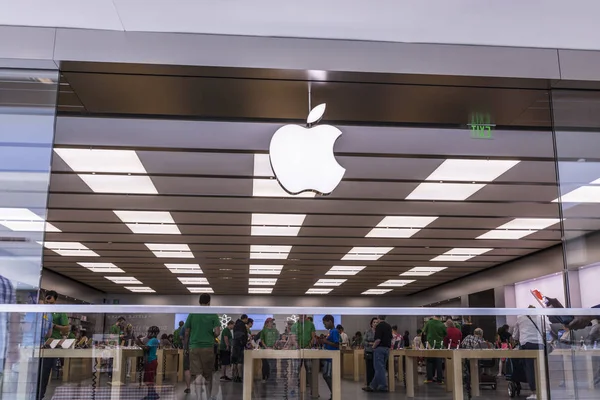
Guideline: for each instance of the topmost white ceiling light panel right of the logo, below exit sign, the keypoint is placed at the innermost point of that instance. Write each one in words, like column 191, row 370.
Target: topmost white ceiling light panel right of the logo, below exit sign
column 471, row 170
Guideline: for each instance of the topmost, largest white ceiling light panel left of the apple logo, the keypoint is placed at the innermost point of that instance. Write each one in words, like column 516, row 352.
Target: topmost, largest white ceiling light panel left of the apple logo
column 97, row 160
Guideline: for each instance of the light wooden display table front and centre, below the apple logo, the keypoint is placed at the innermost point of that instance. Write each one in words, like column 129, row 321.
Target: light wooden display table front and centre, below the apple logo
column 303, row 354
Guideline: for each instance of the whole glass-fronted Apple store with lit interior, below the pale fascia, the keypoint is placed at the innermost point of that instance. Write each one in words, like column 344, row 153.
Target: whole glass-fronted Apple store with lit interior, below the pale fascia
column 359, row 235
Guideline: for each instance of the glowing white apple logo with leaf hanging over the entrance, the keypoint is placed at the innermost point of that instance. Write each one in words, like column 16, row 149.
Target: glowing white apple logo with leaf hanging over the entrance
column 302, row 157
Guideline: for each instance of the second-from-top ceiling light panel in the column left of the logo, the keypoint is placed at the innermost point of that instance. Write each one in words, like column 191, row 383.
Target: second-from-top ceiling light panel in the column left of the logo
column 127, row 184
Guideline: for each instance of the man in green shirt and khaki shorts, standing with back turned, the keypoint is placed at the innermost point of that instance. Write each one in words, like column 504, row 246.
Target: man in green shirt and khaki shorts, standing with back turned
column 200, row 333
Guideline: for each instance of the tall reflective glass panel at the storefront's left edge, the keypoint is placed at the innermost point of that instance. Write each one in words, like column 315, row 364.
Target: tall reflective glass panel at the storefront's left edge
column 27, row 114
